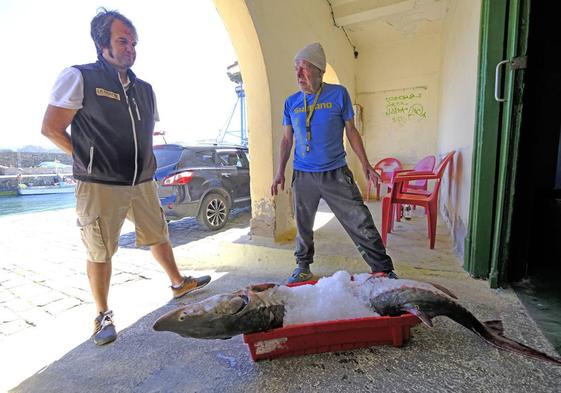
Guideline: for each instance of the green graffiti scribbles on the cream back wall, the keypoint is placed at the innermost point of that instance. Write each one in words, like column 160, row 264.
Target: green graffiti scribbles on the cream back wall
column 405, row 106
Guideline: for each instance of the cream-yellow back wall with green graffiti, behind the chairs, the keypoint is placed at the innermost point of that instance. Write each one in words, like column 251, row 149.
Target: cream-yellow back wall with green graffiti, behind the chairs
column 398, row 88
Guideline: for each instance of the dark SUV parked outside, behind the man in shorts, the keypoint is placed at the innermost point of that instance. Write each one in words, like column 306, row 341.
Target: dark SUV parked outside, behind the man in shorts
column 202, row 181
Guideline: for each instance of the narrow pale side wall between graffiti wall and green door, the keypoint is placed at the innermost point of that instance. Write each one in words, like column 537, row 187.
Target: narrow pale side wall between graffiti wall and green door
column 458, row 99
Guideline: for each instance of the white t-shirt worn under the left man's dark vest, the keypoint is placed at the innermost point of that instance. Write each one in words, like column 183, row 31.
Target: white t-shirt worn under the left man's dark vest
column 68, row 91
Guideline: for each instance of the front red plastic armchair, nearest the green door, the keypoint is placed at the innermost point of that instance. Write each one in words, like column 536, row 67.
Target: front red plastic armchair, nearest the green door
column 426, row 199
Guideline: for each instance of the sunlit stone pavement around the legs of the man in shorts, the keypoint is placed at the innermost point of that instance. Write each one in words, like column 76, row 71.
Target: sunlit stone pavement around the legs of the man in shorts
column 44, row 288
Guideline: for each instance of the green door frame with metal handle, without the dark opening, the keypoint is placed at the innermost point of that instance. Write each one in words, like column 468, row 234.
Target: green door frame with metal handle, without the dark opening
column 496, row 139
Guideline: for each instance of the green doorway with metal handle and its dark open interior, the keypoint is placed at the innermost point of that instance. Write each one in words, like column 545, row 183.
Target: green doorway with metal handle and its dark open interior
column 515, row 216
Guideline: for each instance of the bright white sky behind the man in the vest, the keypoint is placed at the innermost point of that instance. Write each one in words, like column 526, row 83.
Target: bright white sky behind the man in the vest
column 183, row 51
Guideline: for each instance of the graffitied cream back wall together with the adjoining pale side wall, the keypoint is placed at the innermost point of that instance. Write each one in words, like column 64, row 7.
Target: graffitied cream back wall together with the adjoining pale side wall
column 433, row 68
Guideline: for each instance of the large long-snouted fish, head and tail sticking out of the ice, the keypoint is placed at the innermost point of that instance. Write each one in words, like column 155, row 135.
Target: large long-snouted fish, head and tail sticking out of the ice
column 262, row 307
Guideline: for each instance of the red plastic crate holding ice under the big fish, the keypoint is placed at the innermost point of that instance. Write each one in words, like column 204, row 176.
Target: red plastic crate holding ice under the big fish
column 330, row 336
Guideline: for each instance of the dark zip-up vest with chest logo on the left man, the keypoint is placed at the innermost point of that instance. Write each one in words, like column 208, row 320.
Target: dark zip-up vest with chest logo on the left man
column 112, row 134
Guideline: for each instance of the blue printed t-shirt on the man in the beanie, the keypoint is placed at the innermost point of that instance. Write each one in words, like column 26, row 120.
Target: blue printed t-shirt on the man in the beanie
column 333, row 108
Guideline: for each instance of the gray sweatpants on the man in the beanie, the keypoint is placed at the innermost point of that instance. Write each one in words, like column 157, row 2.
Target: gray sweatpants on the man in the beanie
column 339, row 190
